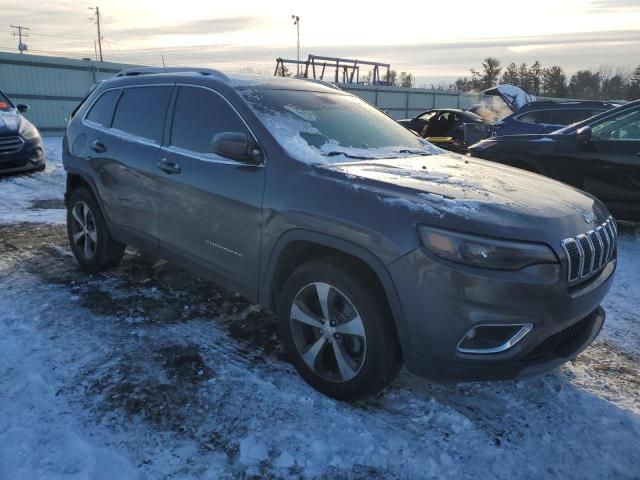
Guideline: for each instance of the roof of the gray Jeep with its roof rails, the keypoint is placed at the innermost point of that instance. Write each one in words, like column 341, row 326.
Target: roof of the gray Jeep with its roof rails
column 209, row 76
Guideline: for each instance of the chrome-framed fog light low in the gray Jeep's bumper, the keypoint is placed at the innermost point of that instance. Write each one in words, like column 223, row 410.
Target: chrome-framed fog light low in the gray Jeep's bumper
column 493, row 338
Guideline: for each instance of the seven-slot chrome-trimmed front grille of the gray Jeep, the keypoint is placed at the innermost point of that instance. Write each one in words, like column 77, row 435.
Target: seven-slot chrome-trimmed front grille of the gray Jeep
column 588, row 253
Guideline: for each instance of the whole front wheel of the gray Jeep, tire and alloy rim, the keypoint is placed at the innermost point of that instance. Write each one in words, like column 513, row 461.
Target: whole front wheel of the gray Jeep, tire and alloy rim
column 369, row 349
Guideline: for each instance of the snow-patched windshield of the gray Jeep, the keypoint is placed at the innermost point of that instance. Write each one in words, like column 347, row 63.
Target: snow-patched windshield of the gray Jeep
column 332, row 127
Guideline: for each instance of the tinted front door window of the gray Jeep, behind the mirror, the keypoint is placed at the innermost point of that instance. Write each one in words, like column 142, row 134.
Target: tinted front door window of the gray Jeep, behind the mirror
column 198, row 115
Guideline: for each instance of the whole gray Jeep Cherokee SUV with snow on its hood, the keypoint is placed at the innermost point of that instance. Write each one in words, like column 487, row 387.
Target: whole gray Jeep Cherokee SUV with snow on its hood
column 375, row 248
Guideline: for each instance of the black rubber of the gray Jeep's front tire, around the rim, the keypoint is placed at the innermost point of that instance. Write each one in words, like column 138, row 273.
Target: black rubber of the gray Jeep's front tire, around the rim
column 382, row 359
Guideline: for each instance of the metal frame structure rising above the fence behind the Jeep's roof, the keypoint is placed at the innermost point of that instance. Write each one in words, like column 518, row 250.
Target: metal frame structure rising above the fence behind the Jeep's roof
column 346, row 70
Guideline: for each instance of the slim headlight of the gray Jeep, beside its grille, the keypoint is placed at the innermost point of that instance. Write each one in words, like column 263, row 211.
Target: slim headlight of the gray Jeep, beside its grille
column 484, row 252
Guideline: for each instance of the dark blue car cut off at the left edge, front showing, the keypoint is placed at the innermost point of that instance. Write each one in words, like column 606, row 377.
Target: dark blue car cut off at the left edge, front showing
column 21, row 147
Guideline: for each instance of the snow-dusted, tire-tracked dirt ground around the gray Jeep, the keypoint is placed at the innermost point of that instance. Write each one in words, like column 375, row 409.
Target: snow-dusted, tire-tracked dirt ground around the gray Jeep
column 149, row 372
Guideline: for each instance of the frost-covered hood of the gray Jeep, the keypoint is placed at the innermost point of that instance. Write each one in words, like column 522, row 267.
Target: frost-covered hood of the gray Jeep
column 457, row 192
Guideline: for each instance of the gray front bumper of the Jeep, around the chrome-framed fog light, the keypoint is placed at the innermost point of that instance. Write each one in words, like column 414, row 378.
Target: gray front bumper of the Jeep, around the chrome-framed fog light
column 442, row 301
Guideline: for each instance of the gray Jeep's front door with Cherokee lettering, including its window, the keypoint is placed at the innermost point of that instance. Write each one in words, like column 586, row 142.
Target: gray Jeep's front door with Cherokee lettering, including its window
column 210, row 208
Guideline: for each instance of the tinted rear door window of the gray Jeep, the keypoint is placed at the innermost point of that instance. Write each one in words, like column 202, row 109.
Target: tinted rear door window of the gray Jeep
column 141, row 111
